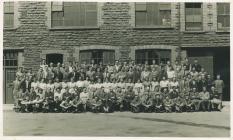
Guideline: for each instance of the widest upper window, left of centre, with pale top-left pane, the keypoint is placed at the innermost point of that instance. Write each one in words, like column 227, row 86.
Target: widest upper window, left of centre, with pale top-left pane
column 74, row 14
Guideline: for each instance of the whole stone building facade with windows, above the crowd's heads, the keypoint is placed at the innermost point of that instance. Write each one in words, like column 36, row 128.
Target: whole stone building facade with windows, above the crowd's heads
column 32, row 36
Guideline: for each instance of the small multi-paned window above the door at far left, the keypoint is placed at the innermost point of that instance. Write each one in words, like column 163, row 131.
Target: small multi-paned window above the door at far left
column 10, row 58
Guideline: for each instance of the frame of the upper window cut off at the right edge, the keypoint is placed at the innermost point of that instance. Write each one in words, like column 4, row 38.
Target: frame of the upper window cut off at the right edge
column 222, row 28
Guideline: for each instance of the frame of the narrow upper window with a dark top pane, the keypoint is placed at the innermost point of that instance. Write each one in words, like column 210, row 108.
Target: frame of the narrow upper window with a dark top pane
column 201, row 16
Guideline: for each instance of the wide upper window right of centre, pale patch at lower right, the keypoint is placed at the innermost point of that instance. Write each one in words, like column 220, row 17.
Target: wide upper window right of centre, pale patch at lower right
column 153, row 14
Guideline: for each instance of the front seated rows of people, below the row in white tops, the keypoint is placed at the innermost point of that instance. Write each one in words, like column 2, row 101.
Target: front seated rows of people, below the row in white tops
column 98, row 100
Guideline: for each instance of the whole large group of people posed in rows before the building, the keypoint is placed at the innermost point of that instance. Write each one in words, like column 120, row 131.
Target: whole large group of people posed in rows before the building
column 123, row 86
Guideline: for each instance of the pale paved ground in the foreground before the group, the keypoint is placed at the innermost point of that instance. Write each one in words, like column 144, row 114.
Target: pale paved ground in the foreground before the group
column 198, row 124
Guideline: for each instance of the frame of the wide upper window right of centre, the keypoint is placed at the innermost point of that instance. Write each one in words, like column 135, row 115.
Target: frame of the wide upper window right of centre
column 146, row 26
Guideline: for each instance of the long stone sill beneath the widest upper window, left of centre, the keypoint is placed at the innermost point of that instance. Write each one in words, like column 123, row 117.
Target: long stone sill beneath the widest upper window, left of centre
column 74, row 28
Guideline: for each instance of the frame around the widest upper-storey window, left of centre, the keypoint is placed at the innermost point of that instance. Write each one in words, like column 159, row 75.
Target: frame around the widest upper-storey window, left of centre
column 65, row 27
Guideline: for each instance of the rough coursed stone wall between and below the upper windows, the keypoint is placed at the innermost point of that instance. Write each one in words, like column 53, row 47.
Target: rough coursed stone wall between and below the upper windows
column 116, row 29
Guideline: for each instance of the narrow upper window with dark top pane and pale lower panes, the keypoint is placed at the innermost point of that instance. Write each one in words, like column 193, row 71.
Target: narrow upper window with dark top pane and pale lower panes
column 193, row 16
